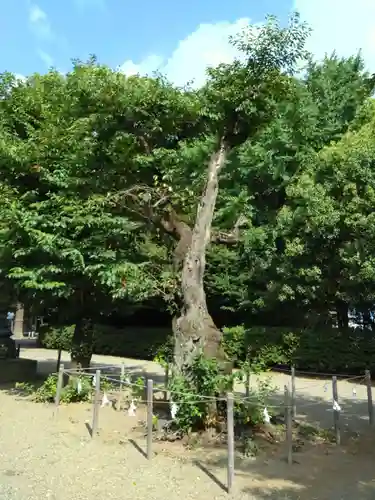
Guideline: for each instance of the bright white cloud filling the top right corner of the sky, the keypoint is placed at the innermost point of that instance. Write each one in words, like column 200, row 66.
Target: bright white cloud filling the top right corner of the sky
column 345, row 26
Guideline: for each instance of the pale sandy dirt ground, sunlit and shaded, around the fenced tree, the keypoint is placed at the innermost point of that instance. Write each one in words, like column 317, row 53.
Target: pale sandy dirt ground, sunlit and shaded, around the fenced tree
column 320, row 471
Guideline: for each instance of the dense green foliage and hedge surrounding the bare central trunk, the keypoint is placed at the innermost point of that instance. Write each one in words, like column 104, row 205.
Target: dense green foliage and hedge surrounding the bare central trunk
column 93, row 163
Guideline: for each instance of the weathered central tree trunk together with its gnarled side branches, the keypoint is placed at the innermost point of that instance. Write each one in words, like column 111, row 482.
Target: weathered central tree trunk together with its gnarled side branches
column 195, row 331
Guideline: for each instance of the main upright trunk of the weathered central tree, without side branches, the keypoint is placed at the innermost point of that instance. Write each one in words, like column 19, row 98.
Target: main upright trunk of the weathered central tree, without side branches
column 195, row 331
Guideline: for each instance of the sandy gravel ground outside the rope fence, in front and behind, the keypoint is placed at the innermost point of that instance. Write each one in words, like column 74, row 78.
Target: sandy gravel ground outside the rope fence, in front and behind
column 46, row 458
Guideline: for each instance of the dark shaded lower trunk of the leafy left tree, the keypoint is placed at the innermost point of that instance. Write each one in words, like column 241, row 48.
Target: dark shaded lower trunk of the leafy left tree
column 82, row 343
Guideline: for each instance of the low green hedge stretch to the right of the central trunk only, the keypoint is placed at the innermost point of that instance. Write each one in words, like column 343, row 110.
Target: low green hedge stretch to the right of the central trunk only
column 324, row 350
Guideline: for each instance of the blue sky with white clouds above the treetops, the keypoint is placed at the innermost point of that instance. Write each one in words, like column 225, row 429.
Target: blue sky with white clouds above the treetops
column 180, row 41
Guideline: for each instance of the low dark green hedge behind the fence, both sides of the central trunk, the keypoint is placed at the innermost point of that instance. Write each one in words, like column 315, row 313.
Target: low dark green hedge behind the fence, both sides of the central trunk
column 323, row 350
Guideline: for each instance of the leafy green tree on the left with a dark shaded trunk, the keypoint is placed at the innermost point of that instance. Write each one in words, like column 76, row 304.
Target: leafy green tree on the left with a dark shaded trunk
column 62, row 235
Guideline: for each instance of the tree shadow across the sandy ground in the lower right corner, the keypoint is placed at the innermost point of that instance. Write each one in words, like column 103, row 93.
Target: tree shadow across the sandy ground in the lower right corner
column 320, row 471
